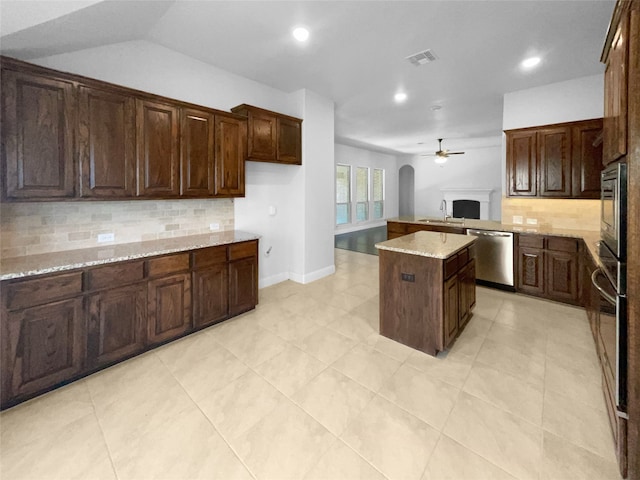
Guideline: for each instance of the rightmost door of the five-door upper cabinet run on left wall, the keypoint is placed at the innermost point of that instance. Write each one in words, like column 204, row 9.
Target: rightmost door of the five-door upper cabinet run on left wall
column 231, row 140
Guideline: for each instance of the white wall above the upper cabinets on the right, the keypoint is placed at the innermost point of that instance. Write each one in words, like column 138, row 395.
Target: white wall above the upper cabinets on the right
column 573, row 100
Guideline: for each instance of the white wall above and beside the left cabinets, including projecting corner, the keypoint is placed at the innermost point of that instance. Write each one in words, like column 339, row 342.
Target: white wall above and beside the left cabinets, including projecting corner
column 155, row 69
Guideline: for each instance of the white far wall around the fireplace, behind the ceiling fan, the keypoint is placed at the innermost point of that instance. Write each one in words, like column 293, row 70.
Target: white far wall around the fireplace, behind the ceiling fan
column 477, row 168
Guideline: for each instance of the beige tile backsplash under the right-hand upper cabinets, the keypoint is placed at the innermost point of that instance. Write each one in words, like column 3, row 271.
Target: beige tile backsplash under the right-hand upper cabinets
column 572, row 214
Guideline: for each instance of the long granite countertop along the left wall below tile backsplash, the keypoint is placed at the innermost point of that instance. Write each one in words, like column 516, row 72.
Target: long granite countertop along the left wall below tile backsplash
column 30, row 265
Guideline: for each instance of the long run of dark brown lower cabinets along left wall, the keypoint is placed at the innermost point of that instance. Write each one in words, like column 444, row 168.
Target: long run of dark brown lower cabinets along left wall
column 57, row 328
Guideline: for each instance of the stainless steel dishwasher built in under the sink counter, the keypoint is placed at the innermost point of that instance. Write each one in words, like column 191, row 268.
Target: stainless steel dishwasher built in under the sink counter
column 494, row 258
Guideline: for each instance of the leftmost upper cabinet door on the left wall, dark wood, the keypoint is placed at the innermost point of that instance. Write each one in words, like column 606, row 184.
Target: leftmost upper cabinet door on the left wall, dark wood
column 37, row 133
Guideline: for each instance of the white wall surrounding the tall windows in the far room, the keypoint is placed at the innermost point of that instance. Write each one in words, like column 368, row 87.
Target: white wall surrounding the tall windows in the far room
column 359, row 157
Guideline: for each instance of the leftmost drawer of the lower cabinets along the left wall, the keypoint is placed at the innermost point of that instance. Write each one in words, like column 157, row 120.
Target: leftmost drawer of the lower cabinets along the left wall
column 28, row 293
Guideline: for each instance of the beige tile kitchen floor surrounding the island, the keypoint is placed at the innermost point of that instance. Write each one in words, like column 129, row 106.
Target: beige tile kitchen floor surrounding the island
column 304, row 388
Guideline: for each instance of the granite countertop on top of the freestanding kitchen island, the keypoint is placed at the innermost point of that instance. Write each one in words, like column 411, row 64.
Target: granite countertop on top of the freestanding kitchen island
column 428, row 244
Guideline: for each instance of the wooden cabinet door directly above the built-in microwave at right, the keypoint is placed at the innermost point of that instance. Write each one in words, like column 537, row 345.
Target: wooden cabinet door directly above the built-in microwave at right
column 615, row 95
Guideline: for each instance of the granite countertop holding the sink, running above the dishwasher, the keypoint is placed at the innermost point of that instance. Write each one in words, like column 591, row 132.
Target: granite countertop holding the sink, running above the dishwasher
column 591, row 238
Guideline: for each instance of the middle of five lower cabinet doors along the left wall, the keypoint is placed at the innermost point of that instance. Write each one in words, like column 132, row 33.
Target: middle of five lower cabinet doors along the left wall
column 169, row 309
